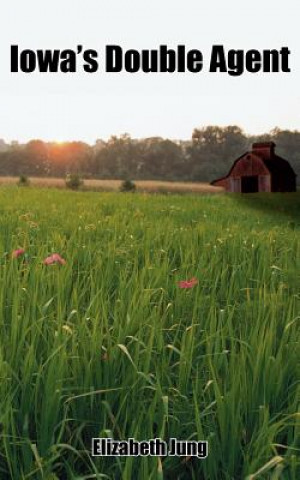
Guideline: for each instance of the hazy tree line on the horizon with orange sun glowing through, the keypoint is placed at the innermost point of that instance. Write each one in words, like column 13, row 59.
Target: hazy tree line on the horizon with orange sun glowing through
column 206, row 156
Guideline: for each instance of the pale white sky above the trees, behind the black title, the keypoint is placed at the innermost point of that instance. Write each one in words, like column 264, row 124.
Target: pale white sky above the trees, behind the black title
column 82, row 106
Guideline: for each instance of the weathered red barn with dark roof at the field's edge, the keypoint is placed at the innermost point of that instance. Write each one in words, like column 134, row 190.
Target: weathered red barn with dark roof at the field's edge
column 260, row 170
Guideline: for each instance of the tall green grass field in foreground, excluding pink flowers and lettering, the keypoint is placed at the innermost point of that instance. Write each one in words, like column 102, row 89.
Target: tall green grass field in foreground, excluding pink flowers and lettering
column 109, row 345
